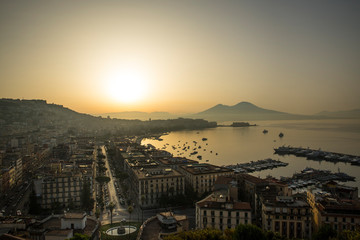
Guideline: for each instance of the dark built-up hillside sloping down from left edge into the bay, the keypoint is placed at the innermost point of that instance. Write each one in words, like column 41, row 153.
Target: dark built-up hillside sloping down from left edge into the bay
column 19, row 117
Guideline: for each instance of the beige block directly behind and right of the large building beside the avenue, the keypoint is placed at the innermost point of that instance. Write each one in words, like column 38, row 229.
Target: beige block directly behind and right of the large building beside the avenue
column 201, row 177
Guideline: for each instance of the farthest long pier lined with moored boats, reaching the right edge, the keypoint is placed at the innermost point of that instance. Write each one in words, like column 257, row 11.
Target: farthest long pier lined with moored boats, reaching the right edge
column 318, row 155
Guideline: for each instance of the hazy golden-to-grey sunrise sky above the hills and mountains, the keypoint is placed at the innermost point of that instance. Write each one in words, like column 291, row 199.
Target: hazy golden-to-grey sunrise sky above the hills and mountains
column 182, row 56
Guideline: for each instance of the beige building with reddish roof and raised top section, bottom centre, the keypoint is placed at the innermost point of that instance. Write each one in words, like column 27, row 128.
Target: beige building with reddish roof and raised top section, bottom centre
column 219, row 212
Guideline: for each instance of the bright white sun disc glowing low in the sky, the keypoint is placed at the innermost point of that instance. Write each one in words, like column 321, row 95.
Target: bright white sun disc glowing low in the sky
column 126, row 85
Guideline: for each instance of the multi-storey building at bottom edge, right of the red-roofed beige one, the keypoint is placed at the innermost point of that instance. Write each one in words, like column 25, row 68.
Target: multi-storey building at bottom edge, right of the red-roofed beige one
column 288, row 216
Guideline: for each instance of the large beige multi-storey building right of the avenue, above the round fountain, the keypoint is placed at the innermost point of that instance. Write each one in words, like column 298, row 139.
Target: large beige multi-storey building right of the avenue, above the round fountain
column 150, row 184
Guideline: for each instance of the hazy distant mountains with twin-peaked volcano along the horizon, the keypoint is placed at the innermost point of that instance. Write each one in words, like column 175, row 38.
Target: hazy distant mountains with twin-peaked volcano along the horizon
column 243, row 111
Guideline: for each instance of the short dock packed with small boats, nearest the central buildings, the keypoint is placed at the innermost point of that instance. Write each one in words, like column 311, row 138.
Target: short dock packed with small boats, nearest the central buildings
column 255, row 166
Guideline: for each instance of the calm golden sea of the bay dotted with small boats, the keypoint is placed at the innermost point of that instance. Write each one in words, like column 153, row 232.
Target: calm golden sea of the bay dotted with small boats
column 232, row 145
